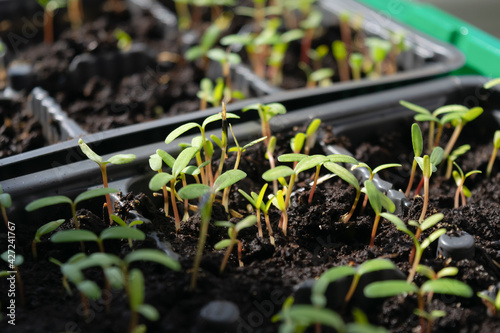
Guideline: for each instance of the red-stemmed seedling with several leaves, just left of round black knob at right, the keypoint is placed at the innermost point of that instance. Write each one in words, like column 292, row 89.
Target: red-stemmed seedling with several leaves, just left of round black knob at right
column 419, row 247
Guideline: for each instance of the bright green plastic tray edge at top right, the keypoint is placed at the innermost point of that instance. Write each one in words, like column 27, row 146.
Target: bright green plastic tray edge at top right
column 482, row 51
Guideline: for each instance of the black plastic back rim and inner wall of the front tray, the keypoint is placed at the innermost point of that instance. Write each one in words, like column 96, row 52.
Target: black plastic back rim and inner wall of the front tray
column 356, row 118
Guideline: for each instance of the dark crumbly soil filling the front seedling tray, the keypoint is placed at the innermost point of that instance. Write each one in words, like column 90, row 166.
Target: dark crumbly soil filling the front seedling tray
column 316, row 241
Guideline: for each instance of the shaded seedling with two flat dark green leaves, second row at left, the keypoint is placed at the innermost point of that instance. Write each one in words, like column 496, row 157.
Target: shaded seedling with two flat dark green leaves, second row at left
column 118, row 232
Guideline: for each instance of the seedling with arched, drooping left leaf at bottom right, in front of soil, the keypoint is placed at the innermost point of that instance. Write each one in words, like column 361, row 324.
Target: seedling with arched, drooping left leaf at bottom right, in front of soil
column 318, row 291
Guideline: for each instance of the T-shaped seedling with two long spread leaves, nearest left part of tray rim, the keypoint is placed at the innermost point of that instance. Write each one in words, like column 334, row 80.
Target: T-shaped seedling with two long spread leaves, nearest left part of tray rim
column 59, row 199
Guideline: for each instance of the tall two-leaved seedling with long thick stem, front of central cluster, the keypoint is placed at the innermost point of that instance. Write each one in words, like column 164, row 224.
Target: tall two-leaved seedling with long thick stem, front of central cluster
column 194, row 191
